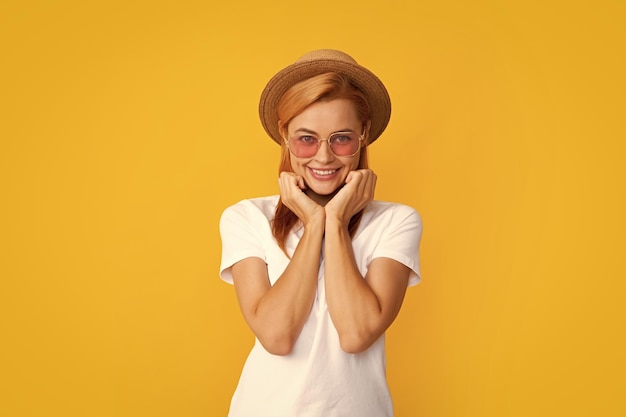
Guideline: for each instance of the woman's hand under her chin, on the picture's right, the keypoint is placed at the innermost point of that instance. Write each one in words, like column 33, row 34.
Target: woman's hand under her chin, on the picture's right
column 353, row 197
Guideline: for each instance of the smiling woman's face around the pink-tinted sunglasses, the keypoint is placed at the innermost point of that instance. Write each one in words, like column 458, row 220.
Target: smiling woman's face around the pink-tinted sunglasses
column 324, row 173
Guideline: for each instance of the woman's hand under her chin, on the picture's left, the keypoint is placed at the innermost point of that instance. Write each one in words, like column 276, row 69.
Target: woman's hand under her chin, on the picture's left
column 292, row 194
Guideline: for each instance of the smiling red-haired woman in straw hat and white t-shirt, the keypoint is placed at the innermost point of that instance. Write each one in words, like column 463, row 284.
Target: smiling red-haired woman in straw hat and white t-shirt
column 321, row 270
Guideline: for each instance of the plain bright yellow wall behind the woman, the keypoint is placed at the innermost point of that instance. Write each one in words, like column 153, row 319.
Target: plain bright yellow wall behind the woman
column 127, row 127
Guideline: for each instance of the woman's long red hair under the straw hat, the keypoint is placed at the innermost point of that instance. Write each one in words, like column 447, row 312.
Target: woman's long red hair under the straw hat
column 324, row 87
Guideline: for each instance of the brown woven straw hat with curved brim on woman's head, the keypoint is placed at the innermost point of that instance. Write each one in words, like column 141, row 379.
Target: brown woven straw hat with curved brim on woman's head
column 319, row 62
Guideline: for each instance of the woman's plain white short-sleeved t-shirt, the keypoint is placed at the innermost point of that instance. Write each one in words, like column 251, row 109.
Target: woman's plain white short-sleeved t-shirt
column 317, row 379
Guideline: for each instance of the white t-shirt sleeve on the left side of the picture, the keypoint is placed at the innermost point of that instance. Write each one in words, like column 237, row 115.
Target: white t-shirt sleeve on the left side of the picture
column 240, row 238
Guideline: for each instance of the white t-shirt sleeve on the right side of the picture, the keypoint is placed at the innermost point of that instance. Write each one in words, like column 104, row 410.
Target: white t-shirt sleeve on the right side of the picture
column 401, row 239
